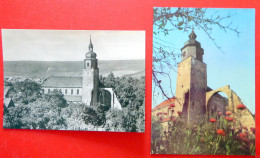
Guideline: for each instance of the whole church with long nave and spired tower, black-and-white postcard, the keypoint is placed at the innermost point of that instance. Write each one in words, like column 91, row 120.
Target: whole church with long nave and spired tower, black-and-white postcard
column 86, row 89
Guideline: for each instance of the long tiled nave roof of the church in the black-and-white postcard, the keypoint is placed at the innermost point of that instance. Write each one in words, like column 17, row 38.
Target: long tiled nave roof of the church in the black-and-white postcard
column 63, row 82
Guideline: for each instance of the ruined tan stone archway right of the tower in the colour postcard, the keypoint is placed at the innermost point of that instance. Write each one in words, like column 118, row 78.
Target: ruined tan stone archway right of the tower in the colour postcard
column 246, row 118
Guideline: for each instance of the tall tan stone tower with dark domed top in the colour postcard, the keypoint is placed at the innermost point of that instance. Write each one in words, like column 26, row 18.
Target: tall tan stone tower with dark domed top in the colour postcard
column 192, row 80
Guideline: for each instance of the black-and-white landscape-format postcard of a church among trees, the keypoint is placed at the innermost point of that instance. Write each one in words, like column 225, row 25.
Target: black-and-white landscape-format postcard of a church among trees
column 74, row 80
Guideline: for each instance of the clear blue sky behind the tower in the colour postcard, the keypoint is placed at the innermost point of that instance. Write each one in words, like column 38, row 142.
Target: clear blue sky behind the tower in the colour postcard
column 235, row 66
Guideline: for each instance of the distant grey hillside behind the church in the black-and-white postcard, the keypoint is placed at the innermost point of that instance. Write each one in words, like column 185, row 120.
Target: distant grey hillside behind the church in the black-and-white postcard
column 72, row 68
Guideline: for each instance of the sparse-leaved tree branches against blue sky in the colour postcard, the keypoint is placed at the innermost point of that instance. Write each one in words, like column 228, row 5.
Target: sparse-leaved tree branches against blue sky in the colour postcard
column 168, row 20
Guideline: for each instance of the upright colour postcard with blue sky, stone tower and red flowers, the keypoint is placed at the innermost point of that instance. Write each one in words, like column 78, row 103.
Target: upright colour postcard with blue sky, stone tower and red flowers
column 203, row 98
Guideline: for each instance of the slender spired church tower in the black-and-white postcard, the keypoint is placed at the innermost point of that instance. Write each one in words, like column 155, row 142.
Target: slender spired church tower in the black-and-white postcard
column 90, row 77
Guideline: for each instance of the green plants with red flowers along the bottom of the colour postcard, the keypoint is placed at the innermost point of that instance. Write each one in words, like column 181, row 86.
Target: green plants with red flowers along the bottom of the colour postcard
column 223, row 137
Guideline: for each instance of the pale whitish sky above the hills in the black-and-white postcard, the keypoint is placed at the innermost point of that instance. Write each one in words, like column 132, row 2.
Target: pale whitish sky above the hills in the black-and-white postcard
column 71, row 45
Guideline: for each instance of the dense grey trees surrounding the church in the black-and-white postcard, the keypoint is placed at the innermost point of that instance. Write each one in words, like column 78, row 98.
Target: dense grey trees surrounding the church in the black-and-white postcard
column 51, row 111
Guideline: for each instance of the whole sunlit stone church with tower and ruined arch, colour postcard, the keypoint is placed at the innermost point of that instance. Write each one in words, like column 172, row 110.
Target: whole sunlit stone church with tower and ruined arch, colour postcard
column 193, row 98
